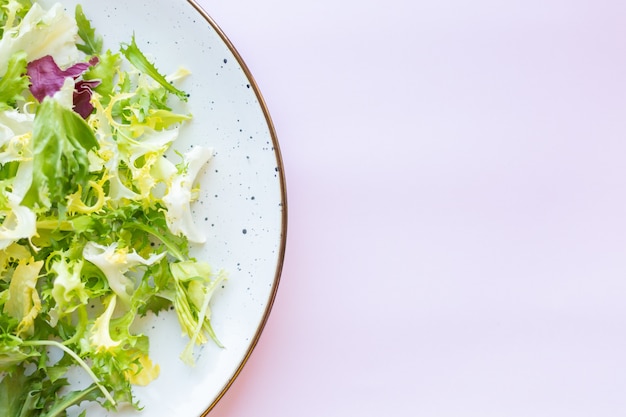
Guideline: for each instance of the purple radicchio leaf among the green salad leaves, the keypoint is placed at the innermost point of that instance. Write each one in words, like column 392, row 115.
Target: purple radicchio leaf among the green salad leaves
column 47, row 79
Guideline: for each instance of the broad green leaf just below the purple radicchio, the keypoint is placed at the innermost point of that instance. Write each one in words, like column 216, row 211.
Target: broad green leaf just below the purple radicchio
column 61, row 140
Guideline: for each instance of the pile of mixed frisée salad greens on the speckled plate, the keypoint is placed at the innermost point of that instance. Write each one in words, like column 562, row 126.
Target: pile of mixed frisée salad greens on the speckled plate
column 95, row 219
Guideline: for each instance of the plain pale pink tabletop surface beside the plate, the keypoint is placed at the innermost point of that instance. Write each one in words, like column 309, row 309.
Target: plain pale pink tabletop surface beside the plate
column 456, row 181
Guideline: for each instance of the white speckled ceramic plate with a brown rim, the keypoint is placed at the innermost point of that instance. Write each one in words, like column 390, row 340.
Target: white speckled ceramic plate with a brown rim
column 242, row 208
